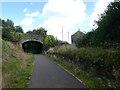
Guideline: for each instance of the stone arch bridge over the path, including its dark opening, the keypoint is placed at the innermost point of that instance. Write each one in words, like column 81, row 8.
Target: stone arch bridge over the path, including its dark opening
column 32, row 43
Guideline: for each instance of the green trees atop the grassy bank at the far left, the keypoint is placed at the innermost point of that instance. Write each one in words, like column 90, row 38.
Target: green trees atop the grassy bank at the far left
column 10, row 32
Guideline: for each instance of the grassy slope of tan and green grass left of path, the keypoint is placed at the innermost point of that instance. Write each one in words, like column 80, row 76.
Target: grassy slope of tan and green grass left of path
column 16, row 66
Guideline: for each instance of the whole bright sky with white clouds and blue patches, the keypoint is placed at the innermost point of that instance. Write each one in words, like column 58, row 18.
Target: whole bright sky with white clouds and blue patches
column 54, row 15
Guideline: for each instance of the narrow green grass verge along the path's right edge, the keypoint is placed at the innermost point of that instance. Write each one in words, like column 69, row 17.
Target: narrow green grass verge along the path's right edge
column 88, row 80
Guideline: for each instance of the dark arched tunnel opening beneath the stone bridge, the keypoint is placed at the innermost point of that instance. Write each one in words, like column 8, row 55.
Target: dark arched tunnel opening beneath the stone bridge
column 32, row 47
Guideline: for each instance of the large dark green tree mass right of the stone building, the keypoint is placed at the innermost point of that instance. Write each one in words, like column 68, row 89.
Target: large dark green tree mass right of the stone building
column 107, row 33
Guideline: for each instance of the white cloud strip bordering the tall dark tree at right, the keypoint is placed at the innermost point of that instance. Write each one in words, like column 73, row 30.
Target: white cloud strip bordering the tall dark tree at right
column 100, row 6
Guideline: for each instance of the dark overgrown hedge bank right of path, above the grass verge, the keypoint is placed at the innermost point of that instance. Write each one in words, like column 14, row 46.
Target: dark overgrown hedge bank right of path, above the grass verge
column 104, row 63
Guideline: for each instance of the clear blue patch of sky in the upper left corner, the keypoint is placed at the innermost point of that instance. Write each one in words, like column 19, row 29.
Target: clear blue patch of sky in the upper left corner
column 15, row 10
